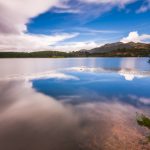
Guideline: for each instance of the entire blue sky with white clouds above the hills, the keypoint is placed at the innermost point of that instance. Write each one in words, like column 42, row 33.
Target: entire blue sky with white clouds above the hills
column 71, row 25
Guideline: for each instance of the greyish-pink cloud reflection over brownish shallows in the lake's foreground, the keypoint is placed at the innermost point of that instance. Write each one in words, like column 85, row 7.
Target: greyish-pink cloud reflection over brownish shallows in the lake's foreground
column 34, row 121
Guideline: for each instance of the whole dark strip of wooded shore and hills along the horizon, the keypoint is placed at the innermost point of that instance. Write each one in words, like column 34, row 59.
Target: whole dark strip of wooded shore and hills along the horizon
column 109, row 50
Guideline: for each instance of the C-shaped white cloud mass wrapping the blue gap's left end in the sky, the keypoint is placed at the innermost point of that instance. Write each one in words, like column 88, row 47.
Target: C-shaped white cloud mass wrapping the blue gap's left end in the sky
column 14, row 17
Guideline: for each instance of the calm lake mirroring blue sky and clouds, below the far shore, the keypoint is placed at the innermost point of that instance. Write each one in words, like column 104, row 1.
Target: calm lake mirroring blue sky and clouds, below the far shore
column 74, row 103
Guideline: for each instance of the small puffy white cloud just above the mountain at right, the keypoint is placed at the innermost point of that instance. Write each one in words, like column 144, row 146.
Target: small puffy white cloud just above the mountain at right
column 135, row 37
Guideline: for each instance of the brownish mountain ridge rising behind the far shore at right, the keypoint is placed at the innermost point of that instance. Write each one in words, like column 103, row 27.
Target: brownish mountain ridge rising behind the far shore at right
column 120, row 46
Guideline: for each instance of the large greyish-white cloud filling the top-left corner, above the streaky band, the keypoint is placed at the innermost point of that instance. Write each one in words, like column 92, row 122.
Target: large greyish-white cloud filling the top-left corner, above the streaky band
column 14, row 15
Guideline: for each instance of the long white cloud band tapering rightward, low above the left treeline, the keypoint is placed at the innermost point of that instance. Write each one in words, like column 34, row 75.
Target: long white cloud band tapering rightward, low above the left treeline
column 31, row 42
